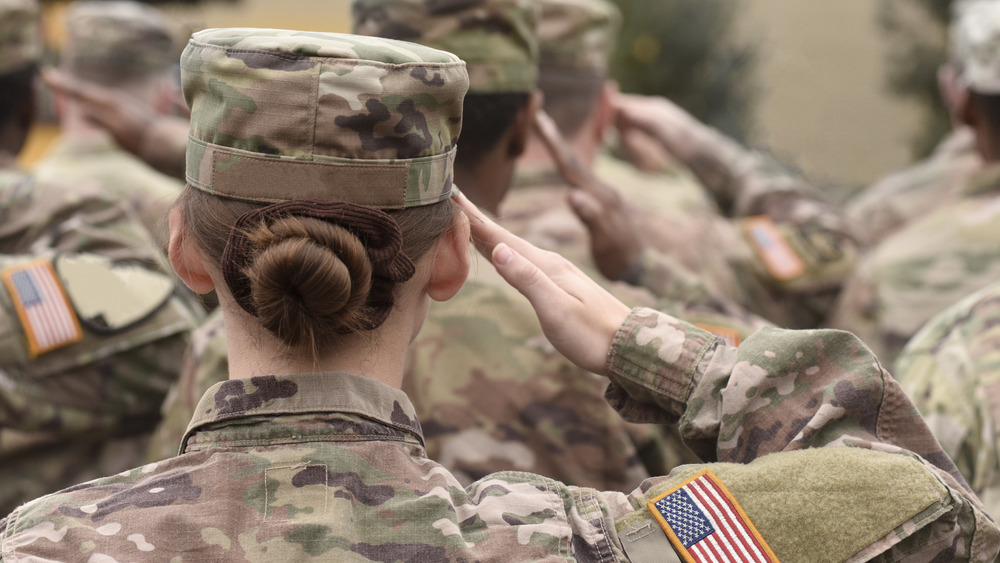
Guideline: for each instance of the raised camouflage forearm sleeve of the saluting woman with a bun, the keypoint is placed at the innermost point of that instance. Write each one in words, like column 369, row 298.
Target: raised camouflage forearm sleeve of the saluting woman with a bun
column 779, row 390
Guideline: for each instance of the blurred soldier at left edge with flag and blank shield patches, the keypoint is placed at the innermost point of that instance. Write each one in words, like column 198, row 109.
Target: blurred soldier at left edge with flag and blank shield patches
column 89, row 345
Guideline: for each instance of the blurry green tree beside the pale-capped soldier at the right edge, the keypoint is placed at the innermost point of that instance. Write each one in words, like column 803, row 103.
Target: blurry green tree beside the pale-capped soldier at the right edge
column 916, row 36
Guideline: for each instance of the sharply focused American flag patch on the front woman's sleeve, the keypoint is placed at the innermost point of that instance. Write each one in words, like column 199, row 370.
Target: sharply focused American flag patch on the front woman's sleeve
column 705, row 523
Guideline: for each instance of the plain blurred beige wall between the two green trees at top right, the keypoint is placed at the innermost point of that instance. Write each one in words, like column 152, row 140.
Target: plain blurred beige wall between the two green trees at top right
column 824, row 101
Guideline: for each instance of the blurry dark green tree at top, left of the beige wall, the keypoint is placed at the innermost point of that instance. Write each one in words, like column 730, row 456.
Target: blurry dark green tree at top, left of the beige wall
column 686, row 50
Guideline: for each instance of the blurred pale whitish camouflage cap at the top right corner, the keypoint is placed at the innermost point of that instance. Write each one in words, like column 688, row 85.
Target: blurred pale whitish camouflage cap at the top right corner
column 976, row 44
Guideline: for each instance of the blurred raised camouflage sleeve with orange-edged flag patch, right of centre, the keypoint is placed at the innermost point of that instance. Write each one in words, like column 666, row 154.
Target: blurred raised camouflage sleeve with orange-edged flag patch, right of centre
column 800, row 245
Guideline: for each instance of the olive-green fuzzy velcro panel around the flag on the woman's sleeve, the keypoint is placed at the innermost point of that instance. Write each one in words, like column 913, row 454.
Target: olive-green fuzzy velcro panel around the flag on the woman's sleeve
column 821, row 504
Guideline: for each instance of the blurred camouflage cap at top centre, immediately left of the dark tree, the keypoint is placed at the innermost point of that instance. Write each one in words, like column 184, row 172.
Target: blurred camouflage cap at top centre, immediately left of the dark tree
column 577, row 35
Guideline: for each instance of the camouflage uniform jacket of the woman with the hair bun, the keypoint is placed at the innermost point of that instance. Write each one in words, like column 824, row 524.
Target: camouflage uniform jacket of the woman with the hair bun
column 300, row 479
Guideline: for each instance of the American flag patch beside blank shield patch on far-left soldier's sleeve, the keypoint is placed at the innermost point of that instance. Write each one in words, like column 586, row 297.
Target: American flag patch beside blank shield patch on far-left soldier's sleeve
column 41, row 303
